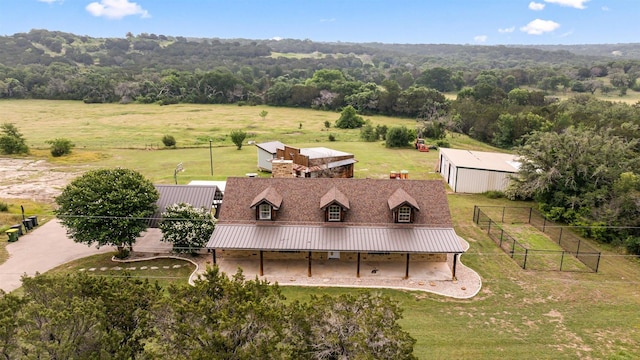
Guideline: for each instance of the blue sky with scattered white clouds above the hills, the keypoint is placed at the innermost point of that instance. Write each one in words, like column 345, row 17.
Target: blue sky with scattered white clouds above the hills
column 488, row 22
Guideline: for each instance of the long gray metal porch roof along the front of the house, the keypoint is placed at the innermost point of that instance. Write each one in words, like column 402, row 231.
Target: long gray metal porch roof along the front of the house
column 326, row 238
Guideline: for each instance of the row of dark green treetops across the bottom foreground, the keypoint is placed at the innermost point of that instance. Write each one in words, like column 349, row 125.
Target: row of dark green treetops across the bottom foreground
column 79, row 316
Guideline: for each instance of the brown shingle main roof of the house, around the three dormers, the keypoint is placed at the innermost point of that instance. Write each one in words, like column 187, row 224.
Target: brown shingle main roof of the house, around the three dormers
column 301, row 198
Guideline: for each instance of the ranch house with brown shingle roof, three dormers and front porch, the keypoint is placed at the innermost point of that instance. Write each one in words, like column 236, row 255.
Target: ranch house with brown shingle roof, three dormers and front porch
column 333, row 219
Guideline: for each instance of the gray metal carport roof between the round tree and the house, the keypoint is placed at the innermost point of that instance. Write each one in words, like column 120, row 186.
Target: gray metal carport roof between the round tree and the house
column 199, row 196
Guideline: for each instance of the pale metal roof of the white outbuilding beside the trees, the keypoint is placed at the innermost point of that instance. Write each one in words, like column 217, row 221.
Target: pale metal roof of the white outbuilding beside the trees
column 482, row 160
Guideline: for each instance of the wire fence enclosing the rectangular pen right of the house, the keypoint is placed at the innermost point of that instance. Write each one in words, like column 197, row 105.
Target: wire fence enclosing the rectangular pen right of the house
column 573, row 247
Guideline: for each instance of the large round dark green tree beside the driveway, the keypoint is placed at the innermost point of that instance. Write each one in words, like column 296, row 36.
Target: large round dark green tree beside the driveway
column 107, row 207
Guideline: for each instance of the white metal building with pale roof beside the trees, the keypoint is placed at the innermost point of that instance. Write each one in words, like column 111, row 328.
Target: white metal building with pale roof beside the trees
column 469, row 171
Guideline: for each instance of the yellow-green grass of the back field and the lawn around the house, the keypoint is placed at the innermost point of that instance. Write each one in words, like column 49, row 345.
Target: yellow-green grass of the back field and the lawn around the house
column 517, row 314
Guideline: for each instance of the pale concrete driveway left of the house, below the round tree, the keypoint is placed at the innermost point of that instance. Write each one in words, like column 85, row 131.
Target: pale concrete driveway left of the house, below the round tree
column 40, row 250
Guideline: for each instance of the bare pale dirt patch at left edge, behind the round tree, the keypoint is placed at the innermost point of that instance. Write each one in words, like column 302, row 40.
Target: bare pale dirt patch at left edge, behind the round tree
column 36, row 180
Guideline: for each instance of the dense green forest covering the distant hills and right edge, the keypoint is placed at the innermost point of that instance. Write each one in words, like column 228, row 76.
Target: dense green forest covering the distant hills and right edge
column 508, row 96
